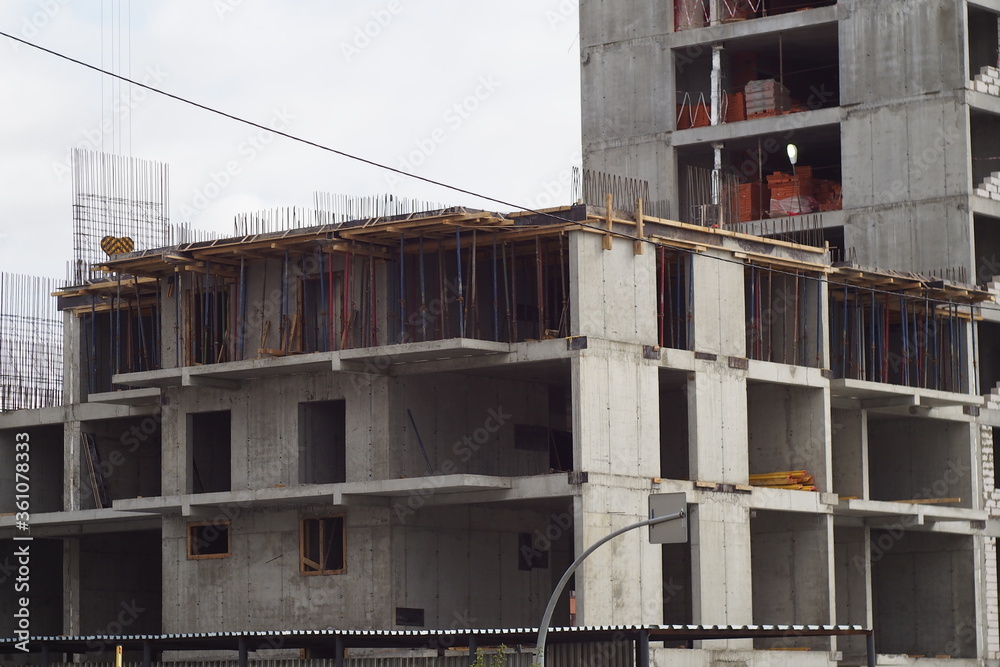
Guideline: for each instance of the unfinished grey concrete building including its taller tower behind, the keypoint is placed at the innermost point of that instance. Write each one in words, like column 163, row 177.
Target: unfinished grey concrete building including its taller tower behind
column 397, row 417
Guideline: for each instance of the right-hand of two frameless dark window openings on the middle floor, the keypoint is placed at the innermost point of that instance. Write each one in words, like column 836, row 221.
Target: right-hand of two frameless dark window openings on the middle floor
column 322, row 442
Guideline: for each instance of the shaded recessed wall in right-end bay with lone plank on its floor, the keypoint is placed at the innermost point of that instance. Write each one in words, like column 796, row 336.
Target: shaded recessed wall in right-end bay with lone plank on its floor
column 922, row 458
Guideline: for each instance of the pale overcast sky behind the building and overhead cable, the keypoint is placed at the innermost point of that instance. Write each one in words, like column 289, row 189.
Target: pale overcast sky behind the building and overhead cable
column 483, row 95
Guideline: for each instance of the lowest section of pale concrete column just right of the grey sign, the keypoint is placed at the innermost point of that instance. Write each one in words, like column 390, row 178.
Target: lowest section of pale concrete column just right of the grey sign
column 720, row 568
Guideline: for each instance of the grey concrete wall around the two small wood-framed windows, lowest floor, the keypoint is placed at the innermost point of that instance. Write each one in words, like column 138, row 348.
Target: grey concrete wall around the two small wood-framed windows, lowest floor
column 259, row 586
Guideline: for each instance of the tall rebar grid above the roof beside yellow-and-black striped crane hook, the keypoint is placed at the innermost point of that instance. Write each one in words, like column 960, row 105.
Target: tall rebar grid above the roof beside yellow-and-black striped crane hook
column 120, row 197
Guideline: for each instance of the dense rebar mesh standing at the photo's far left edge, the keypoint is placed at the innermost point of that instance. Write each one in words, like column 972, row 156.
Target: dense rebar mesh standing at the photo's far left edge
column 30, row 343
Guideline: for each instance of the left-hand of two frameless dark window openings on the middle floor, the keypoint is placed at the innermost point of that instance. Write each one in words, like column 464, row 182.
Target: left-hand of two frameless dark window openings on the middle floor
column 210, row 437
